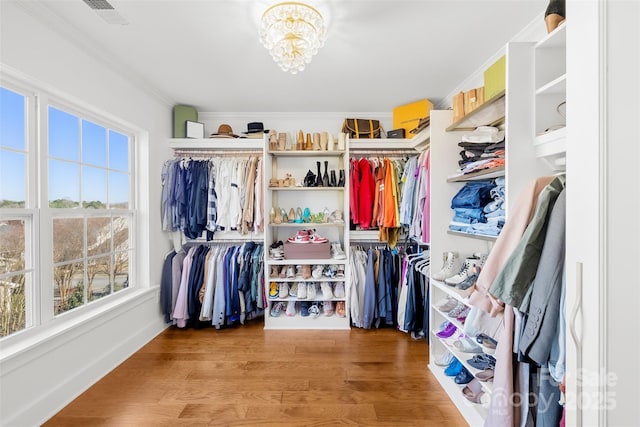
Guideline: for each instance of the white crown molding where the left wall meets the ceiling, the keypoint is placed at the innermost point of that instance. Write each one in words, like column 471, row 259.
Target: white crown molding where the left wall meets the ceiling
column 90, row 46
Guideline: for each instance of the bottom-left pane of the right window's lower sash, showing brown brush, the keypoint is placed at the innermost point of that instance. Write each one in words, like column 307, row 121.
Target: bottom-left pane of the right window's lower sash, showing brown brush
column 68, row 289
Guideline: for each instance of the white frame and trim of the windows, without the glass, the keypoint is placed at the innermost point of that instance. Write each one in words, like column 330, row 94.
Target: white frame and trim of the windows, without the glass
column 40, row 317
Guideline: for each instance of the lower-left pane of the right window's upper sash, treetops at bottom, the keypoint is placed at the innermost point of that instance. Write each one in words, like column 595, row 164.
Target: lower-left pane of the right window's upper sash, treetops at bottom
column 64, row 184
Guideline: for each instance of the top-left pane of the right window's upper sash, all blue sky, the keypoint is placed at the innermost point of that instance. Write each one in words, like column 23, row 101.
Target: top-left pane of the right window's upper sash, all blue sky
column 64, row 138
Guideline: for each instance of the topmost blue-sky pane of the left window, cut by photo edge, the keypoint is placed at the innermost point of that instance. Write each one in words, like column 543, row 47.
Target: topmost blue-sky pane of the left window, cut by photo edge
column 12, row 119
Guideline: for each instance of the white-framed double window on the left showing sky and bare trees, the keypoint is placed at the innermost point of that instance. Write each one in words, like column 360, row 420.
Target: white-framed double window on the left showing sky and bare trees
column 75, row 213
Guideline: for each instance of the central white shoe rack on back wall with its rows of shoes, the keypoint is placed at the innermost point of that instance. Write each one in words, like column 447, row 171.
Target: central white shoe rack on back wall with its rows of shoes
column 291, row 190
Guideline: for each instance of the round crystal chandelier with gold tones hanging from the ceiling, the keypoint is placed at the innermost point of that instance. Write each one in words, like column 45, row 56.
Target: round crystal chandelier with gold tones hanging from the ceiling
column 292, row 32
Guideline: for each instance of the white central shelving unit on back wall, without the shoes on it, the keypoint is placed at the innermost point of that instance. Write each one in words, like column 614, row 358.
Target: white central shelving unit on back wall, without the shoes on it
column 297, row 163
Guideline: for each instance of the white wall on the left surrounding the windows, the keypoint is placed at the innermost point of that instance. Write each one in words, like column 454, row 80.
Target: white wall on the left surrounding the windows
column 40, row 378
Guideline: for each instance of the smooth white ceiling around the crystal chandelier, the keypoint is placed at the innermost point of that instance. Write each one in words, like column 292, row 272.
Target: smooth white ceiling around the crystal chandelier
column 378, row 53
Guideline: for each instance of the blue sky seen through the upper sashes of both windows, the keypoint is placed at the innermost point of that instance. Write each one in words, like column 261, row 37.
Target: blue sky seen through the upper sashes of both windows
column 79, row 151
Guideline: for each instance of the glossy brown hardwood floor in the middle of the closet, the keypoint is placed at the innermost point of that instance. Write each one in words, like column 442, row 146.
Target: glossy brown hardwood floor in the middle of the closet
column 246, row 376
